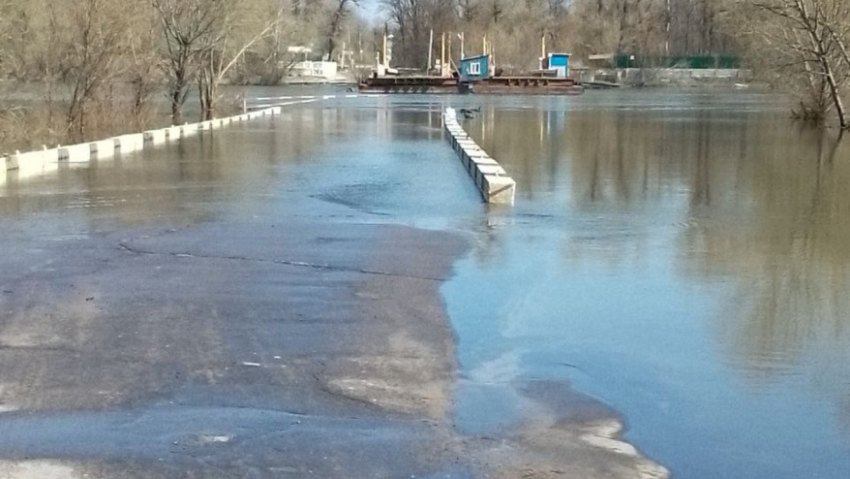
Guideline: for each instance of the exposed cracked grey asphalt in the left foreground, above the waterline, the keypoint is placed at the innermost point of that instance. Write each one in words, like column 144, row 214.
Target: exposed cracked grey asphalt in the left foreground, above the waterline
column 309, row 357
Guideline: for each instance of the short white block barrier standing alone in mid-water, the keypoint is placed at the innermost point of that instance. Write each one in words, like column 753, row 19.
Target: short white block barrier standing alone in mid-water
column 491, row 179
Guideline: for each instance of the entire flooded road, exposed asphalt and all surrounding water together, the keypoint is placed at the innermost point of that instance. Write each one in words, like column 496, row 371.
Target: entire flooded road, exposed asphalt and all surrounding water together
column 676, row 263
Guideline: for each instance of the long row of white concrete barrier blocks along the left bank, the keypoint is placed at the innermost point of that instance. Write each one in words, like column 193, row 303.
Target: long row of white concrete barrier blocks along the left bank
column 25, row 165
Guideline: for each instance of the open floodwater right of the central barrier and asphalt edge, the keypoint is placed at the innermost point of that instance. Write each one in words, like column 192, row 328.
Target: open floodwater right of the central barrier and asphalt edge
column 683, row 258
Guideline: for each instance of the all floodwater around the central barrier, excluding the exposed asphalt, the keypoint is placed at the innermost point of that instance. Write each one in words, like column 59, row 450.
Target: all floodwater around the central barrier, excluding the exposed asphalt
column 681, row 257
